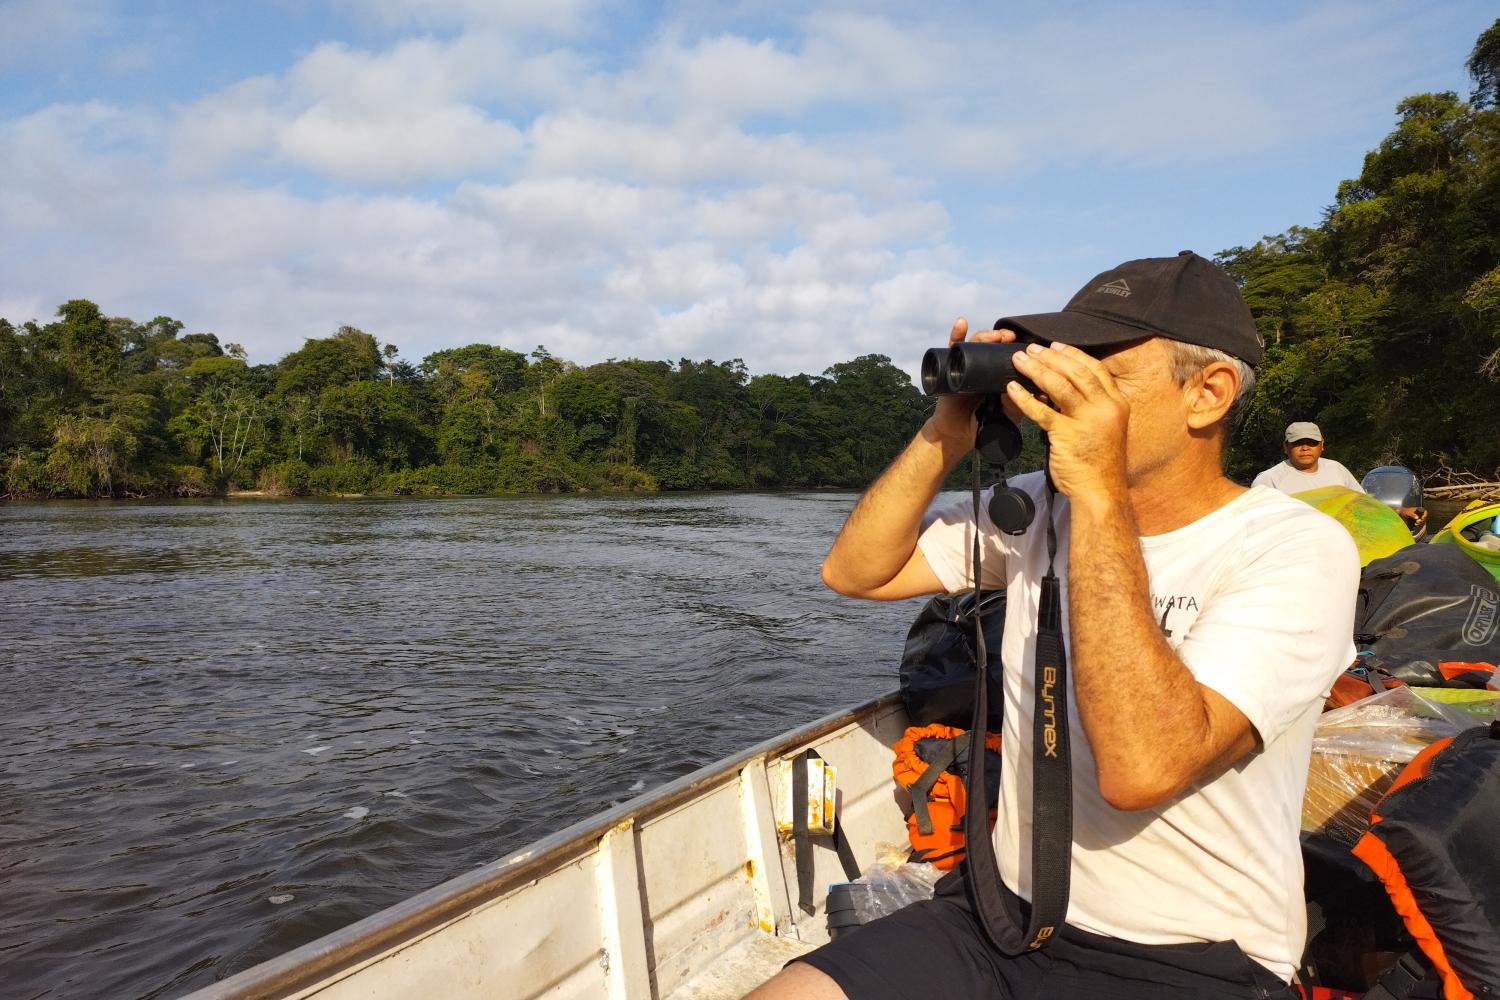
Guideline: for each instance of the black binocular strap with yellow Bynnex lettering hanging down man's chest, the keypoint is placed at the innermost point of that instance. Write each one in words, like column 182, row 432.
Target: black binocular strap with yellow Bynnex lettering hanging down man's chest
column 1052, row 773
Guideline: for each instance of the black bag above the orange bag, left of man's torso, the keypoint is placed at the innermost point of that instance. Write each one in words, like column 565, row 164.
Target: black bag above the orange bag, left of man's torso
column 938, row 662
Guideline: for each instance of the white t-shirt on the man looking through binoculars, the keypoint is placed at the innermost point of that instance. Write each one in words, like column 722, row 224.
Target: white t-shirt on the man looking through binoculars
column 1258, row 599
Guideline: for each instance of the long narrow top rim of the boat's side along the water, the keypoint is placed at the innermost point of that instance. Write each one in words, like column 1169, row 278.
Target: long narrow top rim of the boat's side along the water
column 412, row 918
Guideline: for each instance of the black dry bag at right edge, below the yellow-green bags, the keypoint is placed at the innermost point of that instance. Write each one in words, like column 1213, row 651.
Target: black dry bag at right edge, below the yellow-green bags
column 1424, row 605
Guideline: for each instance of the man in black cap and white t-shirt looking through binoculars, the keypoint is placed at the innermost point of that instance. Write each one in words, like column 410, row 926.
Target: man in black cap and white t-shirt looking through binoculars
column 1201, row 651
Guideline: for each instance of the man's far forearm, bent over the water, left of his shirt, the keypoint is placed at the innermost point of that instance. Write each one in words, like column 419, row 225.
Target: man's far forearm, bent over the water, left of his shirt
column 881, row 533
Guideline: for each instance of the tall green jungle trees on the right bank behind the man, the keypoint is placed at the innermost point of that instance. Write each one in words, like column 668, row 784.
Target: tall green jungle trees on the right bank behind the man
column 1384, row 322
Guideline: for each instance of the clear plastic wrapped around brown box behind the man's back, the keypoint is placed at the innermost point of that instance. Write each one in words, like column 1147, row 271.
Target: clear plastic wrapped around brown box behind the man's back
column 1360, row 750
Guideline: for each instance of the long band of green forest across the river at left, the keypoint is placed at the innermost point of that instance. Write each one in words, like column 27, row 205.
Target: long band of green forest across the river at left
column 107, row 407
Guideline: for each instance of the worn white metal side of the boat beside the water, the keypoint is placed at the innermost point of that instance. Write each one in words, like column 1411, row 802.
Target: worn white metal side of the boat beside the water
column 686, row 891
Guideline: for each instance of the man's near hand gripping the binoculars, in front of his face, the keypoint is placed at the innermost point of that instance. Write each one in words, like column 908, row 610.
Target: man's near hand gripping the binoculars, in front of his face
column 1085, row 424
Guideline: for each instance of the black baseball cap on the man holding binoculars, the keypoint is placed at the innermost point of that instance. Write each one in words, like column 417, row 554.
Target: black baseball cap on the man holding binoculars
column 1183, row 298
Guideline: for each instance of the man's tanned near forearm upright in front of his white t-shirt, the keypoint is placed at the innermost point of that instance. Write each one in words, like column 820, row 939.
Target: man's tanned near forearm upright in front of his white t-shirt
column 1147, row 719
